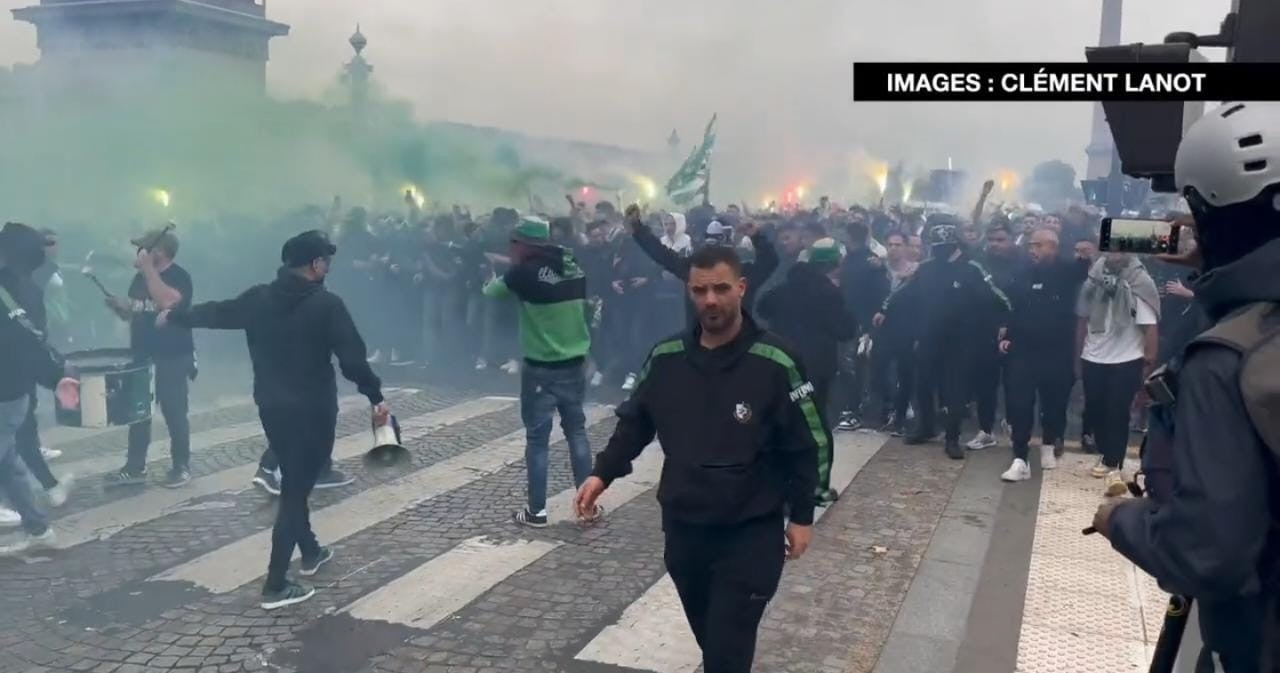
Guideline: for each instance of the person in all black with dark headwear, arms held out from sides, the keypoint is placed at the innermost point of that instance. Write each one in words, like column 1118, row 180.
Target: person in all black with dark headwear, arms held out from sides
column 956, row 300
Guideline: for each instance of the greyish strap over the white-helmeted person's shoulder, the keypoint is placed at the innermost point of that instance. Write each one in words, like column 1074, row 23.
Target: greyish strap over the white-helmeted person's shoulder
column 1255, row 333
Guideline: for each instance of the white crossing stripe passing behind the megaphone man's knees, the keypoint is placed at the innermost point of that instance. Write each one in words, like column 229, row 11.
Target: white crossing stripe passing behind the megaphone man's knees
column 108, row 520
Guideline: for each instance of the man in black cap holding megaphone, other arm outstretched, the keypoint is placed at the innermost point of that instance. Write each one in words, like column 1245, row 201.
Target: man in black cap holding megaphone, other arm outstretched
column 295, row 327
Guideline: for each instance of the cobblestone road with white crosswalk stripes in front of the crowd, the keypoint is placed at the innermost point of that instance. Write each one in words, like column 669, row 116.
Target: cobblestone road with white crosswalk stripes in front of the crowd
column 431, row 574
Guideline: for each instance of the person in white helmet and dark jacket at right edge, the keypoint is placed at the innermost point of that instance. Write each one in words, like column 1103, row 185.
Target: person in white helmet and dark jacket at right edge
column 1210, row 529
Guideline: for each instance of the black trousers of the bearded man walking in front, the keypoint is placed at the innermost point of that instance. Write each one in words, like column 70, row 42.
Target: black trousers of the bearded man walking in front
column 726, row 576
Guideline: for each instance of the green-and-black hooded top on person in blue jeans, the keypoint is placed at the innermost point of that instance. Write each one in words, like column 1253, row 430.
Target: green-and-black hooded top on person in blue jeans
column 552, row 292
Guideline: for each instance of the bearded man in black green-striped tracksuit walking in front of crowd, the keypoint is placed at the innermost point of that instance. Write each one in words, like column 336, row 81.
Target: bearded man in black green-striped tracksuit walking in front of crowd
column 742, row 437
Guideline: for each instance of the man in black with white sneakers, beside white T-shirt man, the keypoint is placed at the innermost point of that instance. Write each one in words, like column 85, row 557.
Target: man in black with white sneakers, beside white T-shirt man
column 1041, row 350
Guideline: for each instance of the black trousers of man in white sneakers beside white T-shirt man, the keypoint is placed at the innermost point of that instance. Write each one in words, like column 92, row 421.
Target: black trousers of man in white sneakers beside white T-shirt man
column 1043, row 374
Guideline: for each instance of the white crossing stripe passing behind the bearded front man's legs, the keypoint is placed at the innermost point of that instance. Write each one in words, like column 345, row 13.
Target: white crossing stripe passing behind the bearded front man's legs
column 653, row 635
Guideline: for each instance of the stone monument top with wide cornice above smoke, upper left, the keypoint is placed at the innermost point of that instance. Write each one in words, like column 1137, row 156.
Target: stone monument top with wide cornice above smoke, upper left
column 112, row 43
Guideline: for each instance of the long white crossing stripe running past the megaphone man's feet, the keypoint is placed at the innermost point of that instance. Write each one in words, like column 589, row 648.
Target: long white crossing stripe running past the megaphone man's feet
column 241, row 562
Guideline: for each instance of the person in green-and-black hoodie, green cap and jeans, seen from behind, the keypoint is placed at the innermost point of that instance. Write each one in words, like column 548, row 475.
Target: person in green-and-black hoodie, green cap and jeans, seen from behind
column 555, row 341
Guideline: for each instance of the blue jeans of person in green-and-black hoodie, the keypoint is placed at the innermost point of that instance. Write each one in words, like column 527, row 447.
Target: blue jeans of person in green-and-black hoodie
column 543, row 392
